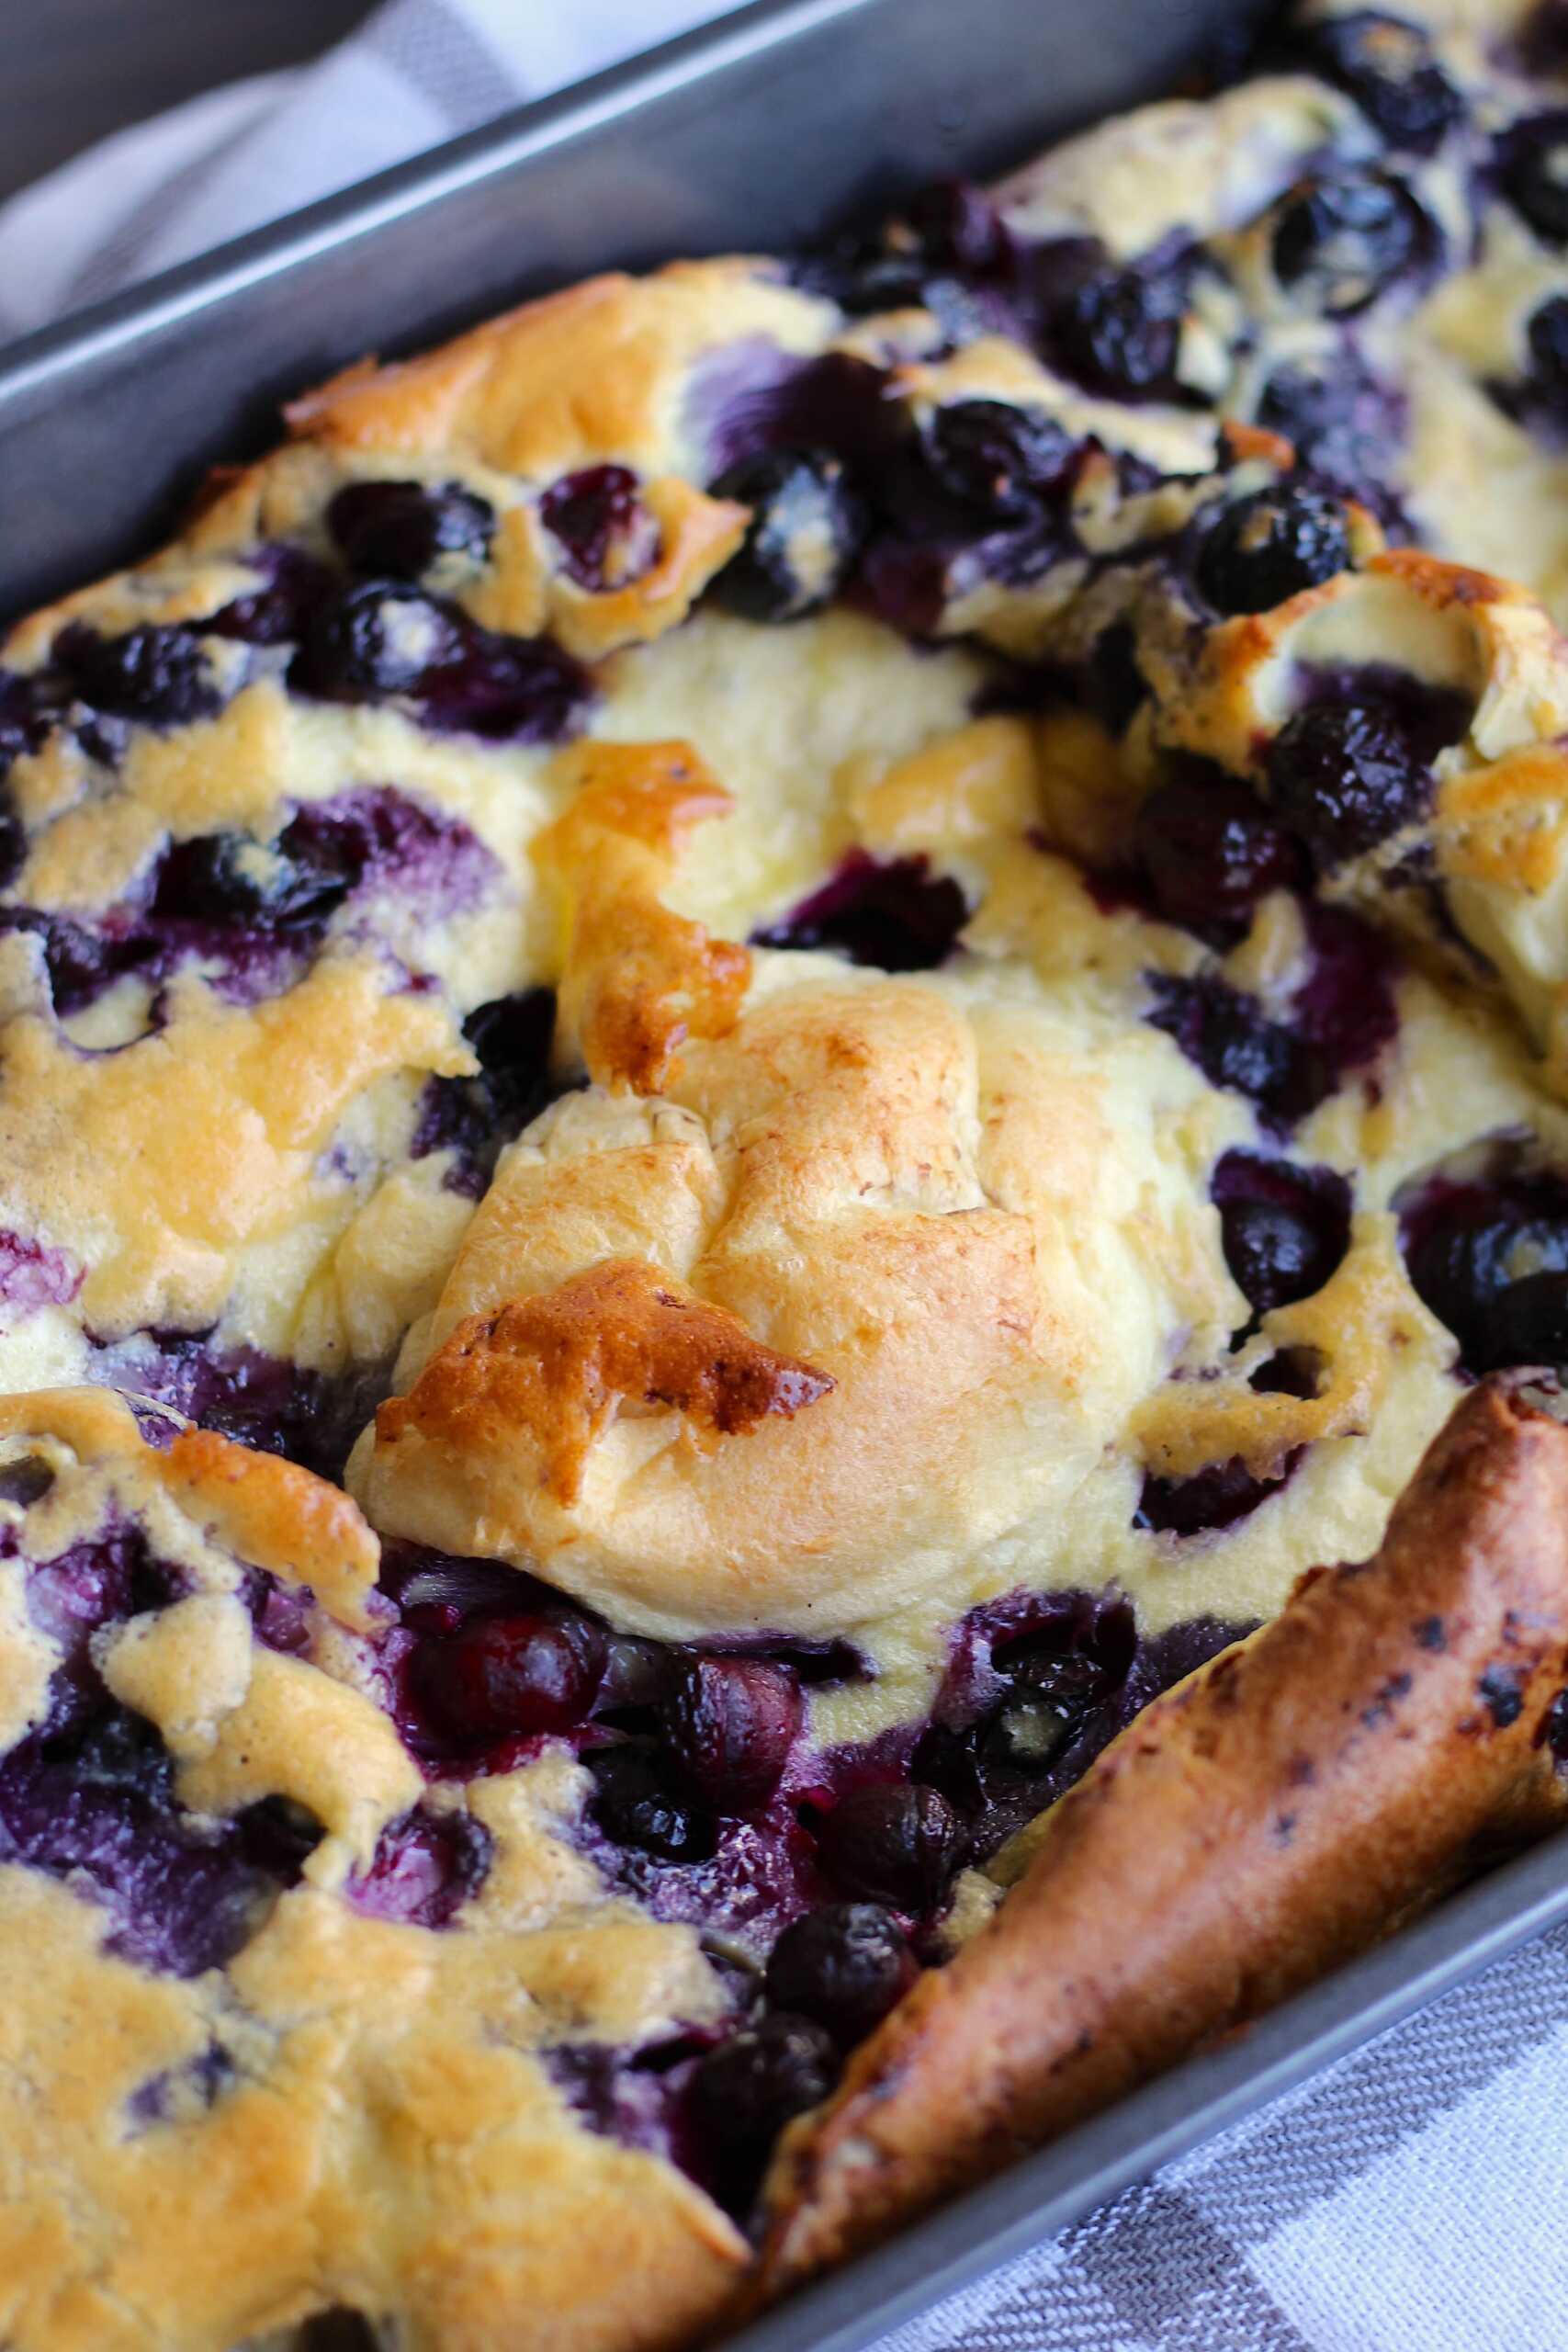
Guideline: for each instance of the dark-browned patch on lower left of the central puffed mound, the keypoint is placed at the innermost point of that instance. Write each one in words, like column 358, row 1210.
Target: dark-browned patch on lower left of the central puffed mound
column 565, row 1365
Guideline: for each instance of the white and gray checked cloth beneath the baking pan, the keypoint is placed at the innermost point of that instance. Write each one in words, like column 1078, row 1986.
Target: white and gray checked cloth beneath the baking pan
column 1414, row 2198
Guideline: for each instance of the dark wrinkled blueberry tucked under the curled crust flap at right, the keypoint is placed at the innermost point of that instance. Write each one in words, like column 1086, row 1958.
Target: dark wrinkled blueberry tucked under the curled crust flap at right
column 1346, row 777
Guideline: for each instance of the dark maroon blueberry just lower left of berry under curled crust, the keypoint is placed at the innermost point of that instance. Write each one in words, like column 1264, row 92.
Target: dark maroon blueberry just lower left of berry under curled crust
column 1212, row 853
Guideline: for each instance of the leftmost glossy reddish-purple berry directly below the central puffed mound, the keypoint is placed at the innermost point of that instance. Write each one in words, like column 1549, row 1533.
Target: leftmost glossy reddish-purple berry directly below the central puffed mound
column 511, row 1676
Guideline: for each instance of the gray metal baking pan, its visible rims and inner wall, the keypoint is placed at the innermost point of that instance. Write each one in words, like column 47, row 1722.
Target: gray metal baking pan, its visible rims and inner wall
column 758, row 133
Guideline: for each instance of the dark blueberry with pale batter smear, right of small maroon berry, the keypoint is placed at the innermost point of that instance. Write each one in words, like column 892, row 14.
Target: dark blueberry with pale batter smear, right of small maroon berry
column 803, row 537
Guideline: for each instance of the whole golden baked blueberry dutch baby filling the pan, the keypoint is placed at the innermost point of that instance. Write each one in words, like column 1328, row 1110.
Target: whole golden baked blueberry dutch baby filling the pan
column 784, row 1257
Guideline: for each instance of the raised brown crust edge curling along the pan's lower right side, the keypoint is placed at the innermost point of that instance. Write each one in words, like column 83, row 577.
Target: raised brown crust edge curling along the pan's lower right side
column 1259, row 1824
